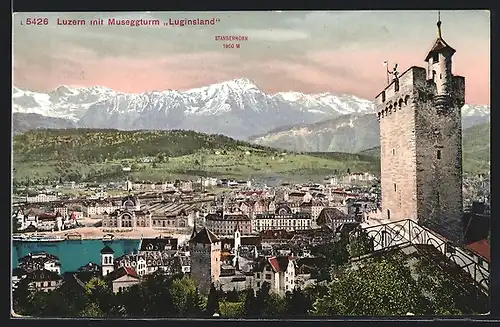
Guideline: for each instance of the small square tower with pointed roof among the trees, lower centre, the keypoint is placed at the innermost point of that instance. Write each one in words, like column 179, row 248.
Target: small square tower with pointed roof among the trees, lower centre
column 205, row 250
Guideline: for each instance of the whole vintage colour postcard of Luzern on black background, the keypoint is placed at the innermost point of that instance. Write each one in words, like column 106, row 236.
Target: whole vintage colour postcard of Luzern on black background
column 250, row 165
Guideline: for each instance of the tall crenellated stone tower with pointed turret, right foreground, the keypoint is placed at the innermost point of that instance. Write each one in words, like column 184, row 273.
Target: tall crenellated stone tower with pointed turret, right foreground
column 421, row 143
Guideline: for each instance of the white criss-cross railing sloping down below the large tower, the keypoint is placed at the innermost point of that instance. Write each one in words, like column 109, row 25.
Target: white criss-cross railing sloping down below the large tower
column 410, row 232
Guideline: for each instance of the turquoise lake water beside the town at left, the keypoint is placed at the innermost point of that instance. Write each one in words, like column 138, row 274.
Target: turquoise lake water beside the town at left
column 73, row 254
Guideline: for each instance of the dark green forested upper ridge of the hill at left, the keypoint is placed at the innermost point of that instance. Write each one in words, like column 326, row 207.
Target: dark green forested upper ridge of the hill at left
column 98, row 145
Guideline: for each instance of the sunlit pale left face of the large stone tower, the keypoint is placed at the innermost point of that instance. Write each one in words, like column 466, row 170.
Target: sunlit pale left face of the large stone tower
column 398, row 148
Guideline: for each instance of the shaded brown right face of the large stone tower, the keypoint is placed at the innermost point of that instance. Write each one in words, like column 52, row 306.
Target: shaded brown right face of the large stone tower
column 439, row 175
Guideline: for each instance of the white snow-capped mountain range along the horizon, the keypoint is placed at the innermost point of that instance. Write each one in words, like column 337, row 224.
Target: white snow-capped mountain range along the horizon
column 237, row 108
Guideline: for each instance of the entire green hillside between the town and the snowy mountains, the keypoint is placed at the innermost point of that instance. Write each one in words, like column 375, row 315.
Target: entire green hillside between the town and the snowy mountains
column 98, row 154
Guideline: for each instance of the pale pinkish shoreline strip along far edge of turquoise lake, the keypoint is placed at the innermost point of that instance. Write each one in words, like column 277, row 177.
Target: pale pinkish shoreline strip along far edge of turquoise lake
column 97, row 233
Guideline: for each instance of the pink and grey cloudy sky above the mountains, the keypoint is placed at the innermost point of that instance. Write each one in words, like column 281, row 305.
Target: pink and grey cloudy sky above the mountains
column 311, row 52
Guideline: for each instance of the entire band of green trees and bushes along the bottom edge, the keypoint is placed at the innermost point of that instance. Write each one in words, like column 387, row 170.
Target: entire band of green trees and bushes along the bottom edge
column 379, row 286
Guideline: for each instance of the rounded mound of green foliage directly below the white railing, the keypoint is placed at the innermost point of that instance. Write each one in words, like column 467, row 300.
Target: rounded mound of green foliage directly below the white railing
column 388, row 287
